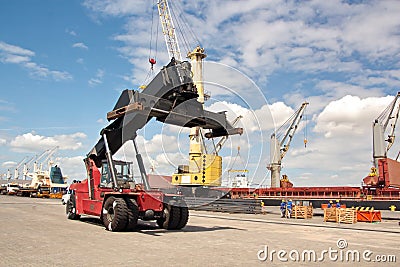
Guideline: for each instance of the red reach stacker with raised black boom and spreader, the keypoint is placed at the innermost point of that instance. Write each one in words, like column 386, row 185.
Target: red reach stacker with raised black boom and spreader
column 109, row 191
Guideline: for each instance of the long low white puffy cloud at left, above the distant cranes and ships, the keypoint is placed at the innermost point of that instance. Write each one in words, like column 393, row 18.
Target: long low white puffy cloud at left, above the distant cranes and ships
column 32, row 142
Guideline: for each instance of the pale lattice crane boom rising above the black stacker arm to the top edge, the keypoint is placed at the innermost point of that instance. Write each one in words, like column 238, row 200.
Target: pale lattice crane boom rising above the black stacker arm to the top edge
column 168, row 28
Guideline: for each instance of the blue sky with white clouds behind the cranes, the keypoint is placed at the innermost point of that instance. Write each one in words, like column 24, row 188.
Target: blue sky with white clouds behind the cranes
column 63, row 65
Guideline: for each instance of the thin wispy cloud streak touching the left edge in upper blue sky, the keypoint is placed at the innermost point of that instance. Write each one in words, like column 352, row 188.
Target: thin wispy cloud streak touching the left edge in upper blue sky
column 12, row 54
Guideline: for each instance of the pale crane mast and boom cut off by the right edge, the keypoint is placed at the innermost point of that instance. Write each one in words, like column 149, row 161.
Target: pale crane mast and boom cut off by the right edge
column 380, row 125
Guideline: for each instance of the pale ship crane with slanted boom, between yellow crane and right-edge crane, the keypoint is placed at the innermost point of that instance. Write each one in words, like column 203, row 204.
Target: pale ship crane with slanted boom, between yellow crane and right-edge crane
column 280, row 143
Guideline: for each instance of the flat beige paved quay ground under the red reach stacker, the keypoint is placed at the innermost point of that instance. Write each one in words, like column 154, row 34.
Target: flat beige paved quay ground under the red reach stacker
column 35, row 232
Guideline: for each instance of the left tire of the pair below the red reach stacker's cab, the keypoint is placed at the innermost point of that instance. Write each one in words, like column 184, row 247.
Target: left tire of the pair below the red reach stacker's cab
column 115, row 214
